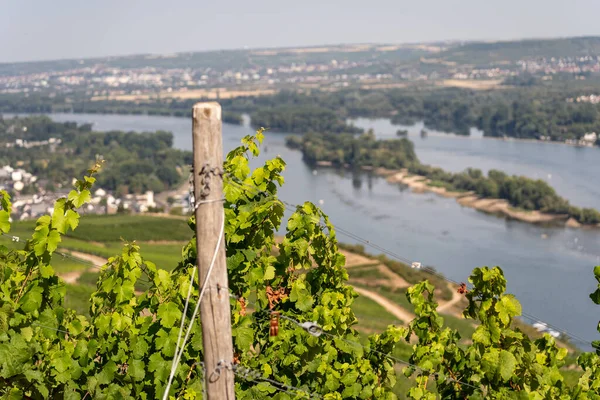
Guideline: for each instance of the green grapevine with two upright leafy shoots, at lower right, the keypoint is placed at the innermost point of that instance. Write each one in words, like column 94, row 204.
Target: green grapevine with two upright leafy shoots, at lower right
column 500, row 363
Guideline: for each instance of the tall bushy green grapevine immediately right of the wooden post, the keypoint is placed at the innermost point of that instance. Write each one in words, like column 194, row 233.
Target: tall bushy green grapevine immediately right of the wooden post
column 309, row 270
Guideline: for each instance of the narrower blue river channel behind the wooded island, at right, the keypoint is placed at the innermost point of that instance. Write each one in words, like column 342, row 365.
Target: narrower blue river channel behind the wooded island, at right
column 572, row 171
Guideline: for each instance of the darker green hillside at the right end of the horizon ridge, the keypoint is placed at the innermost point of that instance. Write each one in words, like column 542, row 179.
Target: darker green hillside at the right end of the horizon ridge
column 482, row 53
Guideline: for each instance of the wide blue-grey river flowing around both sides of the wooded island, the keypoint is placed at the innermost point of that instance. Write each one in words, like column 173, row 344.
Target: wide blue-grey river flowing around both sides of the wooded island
column 548, row 269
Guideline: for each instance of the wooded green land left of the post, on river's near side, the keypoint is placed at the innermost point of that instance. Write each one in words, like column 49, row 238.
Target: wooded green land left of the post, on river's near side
column 55, row 152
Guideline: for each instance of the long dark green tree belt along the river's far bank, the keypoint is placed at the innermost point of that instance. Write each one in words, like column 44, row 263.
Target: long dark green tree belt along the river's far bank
column 522, row 112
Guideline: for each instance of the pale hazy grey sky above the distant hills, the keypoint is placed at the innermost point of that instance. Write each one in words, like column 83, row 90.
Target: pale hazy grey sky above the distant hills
column 53, row 29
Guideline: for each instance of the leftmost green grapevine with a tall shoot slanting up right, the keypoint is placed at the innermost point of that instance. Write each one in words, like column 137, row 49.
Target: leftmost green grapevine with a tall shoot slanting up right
column 39, row 335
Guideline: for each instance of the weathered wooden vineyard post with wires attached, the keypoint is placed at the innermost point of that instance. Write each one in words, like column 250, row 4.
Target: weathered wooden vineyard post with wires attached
column 215, row 310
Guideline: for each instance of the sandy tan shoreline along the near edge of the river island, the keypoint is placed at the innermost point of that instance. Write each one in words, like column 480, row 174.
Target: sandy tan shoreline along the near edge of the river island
column 420, row 184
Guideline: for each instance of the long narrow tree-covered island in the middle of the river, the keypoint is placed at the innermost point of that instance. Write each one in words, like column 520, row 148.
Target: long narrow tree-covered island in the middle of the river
column 364, row 151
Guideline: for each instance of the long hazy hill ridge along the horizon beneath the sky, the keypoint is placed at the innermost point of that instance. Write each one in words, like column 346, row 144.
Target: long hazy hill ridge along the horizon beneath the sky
column 475, row 53
